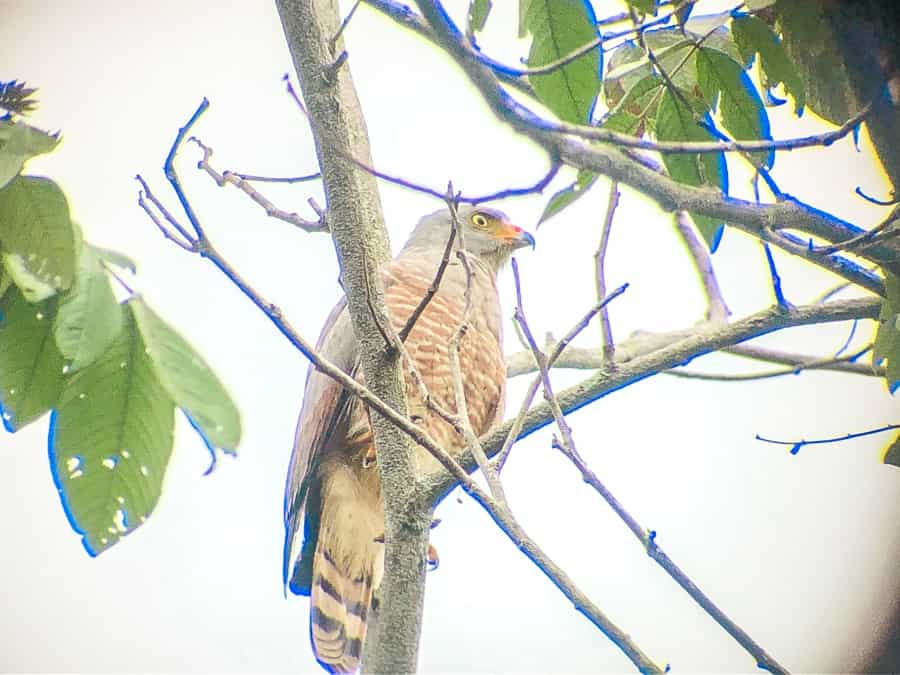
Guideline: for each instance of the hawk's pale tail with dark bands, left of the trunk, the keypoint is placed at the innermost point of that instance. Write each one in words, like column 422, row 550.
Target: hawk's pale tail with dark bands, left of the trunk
column 339, row 605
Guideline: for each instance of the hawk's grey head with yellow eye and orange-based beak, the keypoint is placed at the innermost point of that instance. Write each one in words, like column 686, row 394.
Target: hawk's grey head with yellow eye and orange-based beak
column 487, row 234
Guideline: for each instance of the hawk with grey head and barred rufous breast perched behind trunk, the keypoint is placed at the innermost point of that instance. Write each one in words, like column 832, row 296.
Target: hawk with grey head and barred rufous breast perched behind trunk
column 333, row 485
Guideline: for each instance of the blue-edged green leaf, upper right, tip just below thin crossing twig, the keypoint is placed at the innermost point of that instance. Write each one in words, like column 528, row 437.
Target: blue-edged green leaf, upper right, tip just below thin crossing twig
column 742, row 110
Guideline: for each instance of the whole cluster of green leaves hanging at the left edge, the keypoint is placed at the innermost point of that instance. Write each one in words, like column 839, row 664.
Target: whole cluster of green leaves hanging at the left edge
column 111, row 373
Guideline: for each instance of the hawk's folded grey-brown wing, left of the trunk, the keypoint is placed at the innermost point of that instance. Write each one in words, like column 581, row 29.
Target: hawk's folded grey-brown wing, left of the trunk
column 326, row 407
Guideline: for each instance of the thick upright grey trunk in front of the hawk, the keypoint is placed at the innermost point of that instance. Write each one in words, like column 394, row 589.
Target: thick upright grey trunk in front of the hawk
column 356, row 222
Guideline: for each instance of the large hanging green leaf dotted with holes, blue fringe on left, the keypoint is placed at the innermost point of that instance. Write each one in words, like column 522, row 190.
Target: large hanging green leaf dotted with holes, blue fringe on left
column 110, row 442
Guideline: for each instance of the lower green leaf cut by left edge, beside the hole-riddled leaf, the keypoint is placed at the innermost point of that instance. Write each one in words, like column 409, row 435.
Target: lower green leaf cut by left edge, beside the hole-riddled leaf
column 31, row 367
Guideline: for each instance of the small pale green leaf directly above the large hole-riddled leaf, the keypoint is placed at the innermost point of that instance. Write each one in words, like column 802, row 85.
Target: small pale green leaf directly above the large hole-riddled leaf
column 89, row 316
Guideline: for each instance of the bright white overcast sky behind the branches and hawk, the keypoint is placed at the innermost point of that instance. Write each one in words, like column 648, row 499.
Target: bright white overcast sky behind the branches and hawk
column 801, row 551
